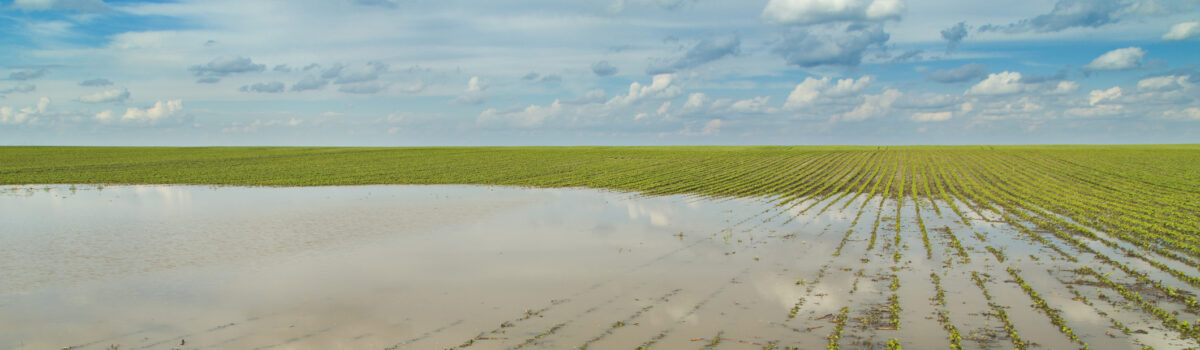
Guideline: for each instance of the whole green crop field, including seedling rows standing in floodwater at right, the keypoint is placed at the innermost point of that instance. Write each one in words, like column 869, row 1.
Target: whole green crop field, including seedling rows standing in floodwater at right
column 1123, row 224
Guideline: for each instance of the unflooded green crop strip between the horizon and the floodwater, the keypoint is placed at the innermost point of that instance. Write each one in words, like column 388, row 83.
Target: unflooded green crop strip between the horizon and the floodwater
column 1145, row 196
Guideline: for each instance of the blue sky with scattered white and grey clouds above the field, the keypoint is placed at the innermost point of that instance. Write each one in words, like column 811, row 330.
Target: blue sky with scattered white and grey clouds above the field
column 599, row 73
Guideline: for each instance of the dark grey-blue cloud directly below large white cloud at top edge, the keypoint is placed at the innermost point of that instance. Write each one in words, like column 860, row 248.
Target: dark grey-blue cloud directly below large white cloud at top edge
column 830, row 45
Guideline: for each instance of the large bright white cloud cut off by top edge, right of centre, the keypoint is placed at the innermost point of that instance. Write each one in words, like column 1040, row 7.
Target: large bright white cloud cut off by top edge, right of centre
column 825, row 11
